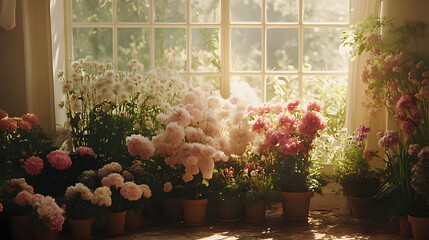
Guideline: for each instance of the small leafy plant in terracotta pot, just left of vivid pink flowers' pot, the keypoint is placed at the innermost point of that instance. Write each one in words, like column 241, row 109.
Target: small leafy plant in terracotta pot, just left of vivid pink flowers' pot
column 259, row 192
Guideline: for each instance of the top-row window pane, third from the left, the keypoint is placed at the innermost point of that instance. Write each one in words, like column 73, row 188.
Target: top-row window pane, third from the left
column 170, row 11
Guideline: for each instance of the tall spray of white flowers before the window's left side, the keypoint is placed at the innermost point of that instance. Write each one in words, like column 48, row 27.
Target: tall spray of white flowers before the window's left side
column 104, row 105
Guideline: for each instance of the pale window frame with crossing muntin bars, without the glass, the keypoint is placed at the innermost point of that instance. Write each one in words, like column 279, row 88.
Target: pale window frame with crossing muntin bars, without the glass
column 225, row 26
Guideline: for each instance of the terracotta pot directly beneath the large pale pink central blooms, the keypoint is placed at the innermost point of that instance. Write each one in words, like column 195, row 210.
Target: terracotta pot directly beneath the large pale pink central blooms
column 194, row 212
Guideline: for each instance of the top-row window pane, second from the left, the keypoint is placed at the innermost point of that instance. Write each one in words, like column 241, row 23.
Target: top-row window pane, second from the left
column 132, row 11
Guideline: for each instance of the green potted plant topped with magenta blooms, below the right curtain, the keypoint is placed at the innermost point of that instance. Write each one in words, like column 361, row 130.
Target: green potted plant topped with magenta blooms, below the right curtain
column 359, row 182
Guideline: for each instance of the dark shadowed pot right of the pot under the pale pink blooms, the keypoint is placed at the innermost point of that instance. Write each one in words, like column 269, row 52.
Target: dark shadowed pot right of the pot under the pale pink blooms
column 229, row 212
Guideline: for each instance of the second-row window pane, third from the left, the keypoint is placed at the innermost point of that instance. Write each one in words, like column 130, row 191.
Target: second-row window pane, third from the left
column 170, row 47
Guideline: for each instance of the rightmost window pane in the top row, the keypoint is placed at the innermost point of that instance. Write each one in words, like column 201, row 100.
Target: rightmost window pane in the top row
column 326, row 11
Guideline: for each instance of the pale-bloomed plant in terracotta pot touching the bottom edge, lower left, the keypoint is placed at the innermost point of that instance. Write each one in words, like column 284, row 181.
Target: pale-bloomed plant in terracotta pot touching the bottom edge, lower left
column 80, row 210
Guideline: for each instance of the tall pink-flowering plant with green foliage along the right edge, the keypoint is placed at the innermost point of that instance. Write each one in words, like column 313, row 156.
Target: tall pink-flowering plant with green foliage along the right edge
column 396, row 76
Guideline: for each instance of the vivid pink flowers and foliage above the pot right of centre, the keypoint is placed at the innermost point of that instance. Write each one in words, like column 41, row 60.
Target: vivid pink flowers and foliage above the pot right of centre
column 285, row 135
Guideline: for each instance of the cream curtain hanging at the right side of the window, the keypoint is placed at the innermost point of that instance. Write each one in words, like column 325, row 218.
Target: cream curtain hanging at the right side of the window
column 356, row 113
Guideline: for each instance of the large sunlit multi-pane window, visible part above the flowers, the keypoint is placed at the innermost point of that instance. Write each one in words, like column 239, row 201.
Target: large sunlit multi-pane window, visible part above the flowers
column 267, row 49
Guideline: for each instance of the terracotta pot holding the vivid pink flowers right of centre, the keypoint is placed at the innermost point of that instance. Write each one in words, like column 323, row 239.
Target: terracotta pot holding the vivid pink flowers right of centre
column 296, row 206
